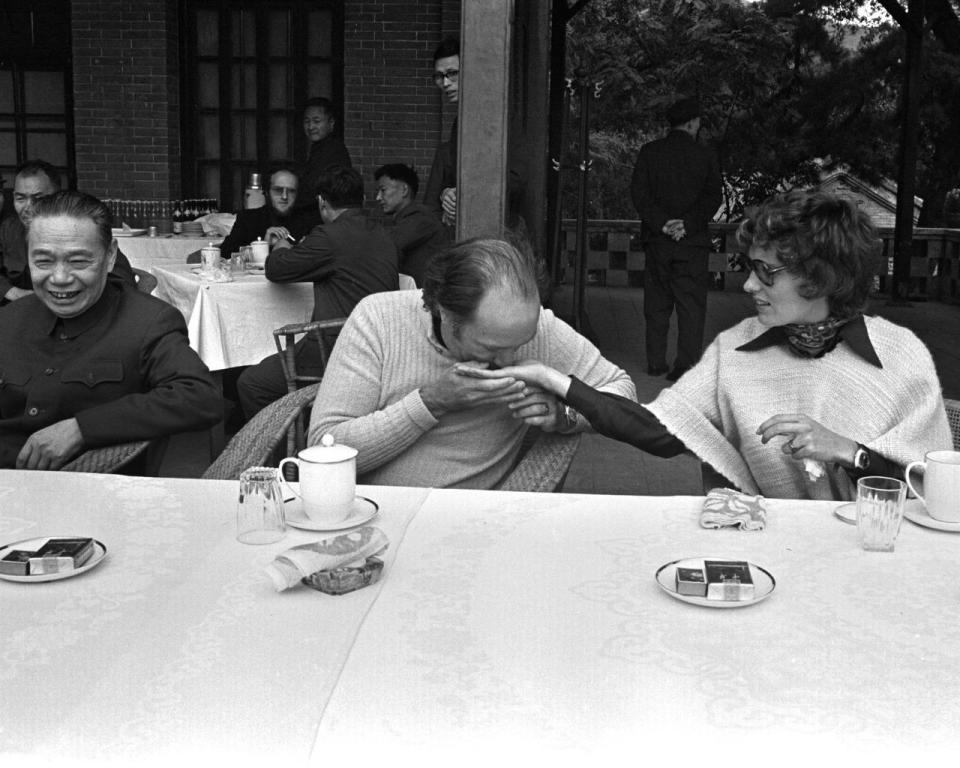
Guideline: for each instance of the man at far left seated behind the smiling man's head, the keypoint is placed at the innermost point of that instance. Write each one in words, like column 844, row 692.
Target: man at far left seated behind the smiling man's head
column 35, row 180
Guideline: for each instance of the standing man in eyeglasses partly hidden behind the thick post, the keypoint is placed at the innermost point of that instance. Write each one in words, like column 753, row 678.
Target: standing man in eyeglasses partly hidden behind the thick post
column 441, row 191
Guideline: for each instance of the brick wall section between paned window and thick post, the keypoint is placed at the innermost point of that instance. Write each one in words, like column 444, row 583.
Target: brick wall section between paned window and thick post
column 392, row 110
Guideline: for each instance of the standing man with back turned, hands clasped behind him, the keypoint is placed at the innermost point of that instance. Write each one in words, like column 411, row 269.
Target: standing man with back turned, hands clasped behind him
column 676, row 189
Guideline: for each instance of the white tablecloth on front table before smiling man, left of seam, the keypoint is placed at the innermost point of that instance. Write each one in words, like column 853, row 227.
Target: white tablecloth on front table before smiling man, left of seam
column 177, row 642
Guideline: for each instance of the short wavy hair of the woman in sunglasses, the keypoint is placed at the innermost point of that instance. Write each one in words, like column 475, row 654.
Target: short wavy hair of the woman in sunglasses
column 826, row 240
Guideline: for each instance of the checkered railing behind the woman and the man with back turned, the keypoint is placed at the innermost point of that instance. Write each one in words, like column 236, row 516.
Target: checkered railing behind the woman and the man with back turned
column 615, row 257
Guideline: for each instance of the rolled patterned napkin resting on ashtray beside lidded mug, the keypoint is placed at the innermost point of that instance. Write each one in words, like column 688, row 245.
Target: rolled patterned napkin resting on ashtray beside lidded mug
column 345, row 550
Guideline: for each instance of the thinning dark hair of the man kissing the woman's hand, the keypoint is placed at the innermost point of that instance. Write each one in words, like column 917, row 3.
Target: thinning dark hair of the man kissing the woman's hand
column 459, row 276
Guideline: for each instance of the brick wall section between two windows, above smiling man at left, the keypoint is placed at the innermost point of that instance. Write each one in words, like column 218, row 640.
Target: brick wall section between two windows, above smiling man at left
column 126, row 98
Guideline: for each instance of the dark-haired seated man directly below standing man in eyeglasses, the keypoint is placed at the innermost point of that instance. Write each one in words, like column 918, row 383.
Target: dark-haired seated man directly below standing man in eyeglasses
column 417, row 230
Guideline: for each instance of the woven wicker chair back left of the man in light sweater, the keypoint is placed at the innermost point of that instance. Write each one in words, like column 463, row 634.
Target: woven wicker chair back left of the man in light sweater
column 256, row 444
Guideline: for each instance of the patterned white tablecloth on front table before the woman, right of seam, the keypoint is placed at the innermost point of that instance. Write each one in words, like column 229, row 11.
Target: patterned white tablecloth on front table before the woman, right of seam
column 531, row 625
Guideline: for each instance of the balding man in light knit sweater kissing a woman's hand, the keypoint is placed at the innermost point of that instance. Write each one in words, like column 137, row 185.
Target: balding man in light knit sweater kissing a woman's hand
column 395, row 391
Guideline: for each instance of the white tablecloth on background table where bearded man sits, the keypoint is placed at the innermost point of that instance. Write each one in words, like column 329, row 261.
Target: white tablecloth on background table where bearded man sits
column 231, row 324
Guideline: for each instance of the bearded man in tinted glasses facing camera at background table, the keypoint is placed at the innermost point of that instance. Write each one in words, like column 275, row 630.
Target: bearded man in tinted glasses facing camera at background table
column 273, row 221
